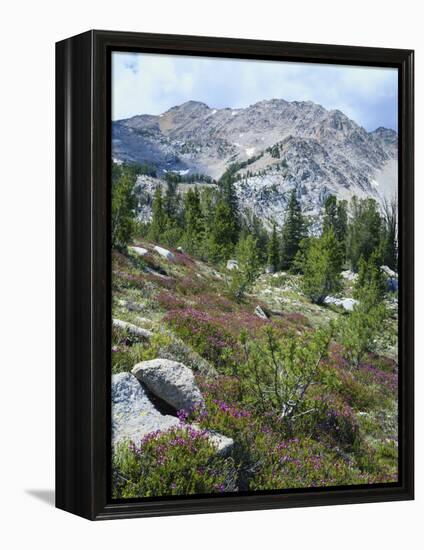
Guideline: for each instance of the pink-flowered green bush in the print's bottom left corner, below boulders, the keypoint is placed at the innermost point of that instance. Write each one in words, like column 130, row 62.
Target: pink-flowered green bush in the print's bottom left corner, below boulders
column 181, row 461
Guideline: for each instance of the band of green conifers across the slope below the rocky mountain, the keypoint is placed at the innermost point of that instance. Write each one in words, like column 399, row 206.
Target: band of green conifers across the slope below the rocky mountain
column 208, row 224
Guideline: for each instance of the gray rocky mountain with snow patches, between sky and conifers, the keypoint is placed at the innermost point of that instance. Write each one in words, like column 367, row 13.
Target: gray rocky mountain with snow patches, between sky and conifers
column 278, row 145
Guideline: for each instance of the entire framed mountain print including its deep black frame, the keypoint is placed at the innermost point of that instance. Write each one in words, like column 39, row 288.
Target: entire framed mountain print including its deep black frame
column 234, row 274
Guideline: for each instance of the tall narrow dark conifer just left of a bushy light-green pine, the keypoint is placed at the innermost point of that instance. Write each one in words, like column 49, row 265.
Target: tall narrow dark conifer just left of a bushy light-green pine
column 293, row 231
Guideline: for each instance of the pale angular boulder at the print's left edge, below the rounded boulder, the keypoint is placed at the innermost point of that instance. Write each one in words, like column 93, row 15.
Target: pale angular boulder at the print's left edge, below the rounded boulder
column 133, row 414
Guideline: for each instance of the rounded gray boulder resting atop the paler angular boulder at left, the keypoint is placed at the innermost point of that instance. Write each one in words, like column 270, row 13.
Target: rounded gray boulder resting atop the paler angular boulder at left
column 171, row 381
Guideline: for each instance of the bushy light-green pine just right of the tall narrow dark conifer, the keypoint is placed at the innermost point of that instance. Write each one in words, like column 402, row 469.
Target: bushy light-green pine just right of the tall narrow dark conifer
column 321, row 270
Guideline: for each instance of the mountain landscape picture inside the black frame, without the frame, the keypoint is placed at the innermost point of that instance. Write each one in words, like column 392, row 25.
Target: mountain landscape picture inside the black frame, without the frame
column 254, row 233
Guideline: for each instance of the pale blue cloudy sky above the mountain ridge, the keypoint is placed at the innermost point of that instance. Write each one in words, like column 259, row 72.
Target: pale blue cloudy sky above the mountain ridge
column 152, row 83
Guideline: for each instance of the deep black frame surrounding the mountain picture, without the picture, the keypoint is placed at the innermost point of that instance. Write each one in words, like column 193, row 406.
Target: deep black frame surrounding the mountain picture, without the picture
column 83, row 271
